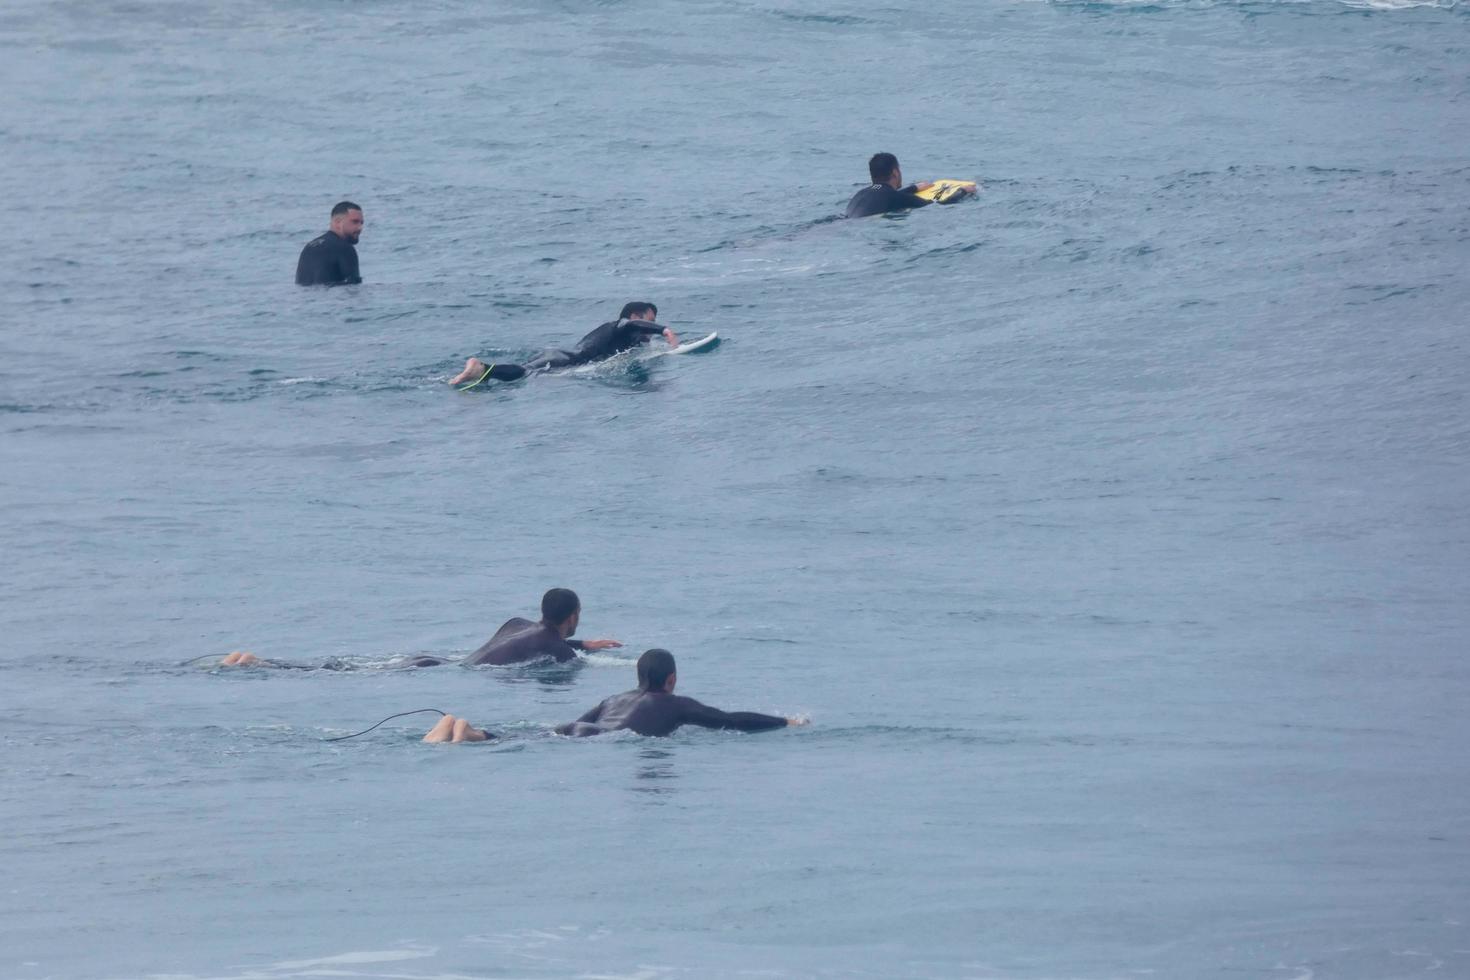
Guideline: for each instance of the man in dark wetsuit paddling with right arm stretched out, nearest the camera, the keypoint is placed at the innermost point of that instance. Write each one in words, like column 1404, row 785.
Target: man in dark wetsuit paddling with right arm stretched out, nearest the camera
column 650, row 709
